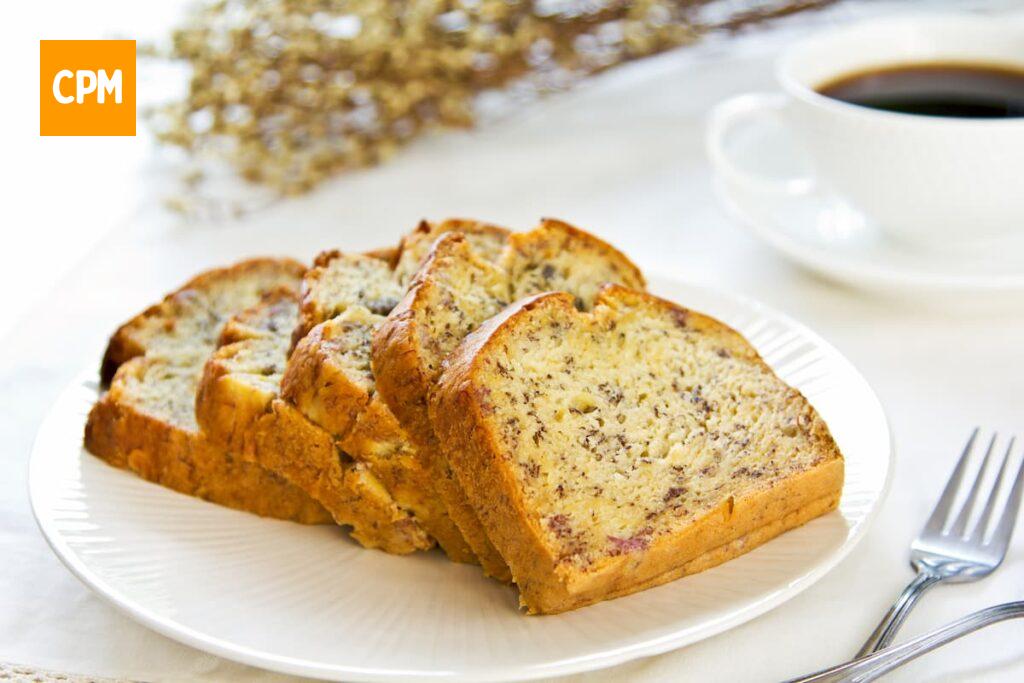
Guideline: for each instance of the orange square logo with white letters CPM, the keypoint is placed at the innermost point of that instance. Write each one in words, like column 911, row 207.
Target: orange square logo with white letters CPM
column 88, row 88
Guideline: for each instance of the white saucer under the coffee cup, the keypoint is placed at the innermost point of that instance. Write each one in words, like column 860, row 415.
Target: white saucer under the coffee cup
column 821, row 232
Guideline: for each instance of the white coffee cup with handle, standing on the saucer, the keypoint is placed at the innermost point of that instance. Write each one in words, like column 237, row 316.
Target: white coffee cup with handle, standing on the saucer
column 922, row 179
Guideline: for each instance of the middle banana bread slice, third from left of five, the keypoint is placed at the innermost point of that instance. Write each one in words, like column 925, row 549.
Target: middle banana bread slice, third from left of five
column 329, row 379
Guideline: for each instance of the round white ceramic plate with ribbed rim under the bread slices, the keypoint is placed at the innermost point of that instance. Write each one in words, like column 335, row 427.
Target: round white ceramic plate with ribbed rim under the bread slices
column 308, row 602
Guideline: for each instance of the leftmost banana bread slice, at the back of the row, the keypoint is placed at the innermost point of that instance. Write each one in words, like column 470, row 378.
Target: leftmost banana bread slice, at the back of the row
column 146, row 420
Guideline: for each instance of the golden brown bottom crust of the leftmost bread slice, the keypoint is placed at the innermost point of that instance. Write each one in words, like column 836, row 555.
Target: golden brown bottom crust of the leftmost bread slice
column 186, row 462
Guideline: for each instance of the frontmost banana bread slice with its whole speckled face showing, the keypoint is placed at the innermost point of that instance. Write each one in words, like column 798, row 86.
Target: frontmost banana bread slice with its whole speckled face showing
column 611, row 451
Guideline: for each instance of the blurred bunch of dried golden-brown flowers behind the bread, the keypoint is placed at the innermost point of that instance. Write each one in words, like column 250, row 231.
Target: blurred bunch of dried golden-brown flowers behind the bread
column 290, row 93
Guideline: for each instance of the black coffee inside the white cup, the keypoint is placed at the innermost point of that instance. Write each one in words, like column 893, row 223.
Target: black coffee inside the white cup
column 964, row 91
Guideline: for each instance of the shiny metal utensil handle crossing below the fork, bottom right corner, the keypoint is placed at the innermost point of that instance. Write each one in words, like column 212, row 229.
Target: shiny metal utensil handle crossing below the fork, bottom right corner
column 874, row 666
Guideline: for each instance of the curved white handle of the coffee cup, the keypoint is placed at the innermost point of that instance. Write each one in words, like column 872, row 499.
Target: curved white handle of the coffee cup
column 724, row 118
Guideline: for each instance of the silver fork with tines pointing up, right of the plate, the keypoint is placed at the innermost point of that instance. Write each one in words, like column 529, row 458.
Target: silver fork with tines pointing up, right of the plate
column 946, row 549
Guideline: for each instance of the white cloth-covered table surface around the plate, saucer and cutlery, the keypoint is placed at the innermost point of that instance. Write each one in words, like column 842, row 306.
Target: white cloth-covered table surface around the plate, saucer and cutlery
column 622, row 157
